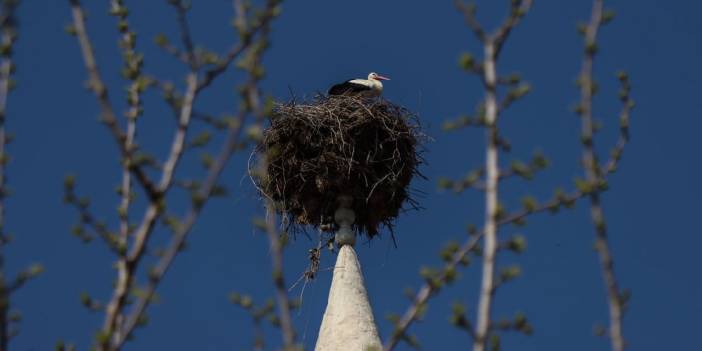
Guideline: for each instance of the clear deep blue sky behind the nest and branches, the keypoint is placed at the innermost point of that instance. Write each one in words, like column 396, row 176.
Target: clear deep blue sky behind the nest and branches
column 652, row 207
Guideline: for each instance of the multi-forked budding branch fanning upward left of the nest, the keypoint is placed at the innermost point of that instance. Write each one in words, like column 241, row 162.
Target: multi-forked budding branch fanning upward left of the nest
column 118, row 326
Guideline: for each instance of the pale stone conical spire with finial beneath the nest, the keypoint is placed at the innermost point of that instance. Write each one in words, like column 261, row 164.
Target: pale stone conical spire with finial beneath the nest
column 348, row 323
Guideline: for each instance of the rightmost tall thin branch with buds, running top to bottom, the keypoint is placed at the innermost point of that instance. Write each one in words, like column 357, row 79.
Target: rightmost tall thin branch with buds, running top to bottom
column 595, row 178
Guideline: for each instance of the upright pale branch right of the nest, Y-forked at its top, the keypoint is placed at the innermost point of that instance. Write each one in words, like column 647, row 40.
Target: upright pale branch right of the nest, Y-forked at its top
column 492, row 45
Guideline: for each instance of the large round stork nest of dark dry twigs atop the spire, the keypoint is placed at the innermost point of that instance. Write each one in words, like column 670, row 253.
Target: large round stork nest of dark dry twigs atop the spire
column 367, row 148
